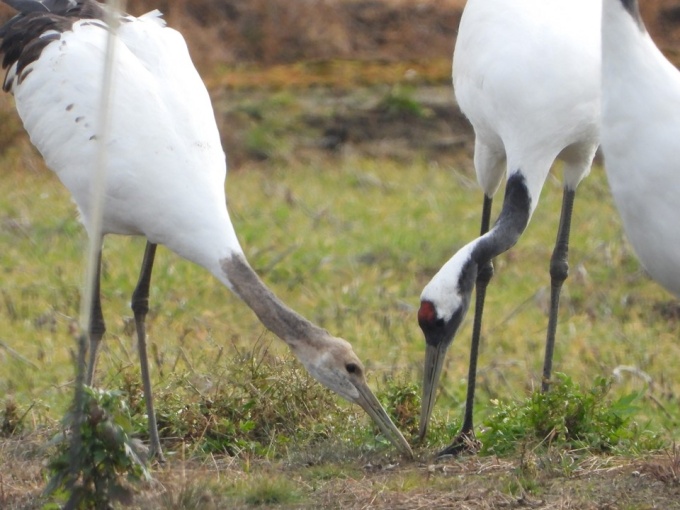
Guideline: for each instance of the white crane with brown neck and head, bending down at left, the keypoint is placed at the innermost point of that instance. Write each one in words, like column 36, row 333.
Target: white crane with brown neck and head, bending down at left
column 165, row 172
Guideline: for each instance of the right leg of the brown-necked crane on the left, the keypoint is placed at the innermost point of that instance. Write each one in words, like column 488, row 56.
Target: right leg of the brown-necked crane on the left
column 140, row 307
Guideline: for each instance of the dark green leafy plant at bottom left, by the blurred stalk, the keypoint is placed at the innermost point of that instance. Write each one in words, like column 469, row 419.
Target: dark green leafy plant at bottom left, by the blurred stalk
column 109, row 458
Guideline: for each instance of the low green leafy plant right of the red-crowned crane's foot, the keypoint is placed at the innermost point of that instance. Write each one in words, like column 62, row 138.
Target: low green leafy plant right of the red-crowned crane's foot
column 566, row 415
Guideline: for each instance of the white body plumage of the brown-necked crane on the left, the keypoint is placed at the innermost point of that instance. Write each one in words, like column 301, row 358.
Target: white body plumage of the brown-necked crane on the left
column 164, row 144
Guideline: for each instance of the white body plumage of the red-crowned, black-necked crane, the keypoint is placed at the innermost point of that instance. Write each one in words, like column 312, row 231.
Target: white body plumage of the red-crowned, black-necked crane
column 525, row 73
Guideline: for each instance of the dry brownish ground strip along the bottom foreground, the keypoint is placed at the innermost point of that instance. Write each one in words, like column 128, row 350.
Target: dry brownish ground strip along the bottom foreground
column 557, row 481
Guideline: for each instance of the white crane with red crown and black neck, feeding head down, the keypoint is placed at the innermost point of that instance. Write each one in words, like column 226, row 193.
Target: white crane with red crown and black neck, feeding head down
column 526, row 74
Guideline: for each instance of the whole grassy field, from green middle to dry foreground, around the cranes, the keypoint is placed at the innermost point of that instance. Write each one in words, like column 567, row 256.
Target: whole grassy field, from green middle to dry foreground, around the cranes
column 349, row 241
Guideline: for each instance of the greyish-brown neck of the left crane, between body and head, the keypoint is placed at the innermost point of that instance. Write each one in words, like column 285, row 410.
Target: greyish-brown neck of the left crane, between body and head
column 287, row 324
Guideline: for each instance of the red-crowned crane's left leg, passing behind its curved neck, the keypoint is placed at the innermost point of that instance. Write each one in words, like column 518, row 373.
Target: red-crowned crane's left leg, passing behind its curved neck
column 465, row 440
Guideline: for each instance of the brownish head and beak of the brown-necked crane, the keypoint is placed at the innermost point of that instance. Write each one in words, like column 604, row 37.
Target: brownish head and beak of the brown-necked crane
column 332, row 362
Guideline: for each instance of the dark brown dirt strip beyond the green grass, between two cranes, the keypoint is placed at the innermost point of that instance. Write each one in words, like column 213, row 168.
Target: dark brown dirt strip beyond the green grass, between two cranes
column 321, row 122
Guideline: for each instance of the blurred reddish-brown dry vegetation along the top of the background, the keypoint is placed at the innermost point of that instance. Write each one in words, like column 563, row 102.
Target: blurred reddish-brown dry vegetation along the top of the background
column 277, row 31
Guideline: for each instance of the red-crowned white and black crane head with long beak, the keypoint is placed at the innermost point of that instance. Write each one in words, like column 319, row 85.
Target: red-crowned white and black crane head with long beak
column 443, row 305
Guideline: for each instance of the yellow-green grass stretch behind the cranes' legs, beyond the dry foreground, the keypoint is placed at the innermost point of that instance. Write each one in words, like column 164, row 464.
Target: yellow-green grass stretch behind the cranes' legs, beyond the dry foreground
column 348, row 242
